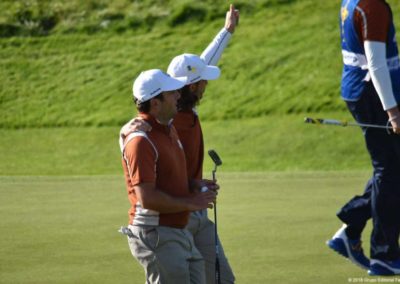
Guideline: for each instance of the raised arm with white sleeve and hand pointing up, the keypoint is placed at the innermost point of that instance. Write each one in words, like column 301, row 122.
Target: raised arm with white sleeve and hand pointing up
column 213, row 52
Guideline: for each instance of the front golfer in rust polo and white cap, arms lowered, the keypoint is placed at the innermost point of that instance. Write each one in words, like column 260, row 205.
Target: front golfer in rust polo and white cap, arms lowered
column 158, row 189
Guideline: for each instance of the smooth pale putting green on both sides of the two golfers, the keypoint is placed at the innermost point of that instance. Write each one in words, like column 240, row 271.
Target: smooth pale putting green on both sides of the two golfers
column 273, row 227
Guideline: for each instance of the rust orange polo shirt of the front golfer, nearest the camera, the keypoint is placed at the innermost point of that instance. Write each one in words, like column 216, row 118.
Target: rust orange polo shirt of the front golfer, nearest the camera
column 166, row 168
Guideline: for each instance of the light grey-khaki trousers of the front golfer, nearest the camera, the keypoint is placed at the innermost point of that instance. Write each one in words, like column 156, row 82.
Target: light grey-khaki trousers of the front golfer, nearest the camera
column 168, row 255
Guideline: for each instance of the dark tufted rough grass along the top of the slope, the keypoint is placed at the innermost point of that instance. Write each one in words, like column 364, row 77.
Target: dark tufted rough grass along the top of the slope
column 44, row 17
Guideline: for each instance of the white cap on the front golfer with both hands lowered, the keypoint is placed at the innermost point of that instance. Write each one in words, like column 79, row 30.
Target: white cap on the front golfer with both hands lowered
column 152, row 82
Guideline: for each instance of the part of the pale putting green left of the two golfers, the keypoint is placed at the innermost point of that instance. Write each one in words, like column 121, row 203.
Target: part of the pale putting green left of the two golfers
column 63, row 230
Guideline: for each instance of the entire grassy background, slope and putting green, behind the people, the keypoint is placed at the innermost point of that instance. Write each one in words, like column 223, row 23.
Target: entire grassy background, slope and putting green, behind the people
column 66, row 77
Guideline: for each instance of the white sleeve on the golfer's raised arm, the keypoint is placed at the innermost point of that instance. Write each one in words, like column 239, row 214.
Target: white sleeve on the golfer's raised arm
column 213, row 52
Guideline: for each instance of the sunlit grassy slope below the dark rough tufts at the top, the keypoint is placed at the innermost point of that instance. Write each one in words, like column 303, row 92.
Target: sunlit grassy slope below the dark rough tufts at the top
column 284, row 58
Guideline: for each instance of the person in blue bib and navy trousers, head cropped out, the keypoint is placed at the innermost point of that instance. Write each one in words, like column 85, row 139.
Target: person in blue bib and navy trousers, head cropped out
column 371, row 89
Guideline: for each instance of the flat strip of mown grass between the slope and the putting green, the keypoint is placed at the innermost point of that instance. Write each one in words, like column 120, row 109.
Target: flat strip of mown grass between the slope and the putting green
column 272, row 143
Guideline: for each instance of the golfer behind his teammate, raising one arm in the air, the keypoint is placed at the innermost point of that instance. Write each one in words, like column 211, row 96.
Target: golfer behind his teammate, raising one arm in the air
column 198, row 70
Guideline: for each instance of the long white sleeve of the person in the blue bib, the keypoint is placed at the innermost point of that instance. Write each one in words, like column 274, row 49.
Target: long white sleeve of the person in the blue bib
column 377, row 65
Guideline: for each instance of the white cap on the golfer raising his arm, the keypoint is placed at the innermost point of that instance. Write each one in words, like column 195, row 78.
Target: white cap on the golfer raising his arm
column 192, row 67
